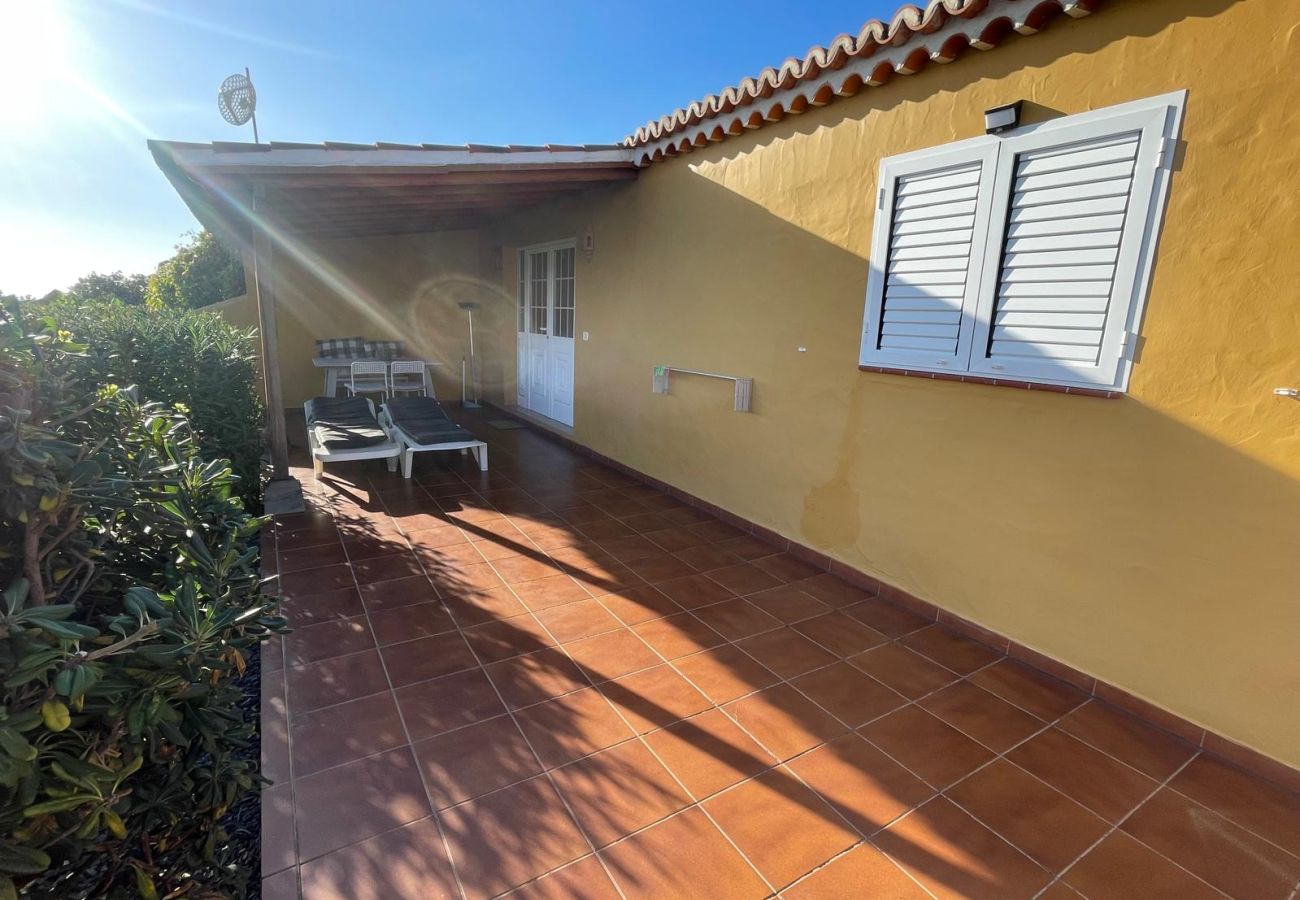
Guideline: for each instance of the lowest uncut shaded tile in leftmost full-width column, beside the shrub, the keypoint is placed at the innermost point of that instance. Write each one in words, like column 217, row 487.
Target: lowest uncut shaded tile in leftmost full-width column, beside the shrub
column 357, row 802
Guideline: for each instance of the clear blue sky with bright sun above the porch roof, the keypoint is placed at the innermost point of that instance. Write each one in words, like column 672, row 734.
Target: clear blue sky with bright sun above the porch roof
column 85, row 83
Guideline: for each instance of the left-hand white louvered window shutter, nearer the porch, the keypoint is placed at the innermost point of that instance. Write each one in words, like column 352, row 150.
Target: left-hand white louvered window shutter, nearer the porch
column 931, row 227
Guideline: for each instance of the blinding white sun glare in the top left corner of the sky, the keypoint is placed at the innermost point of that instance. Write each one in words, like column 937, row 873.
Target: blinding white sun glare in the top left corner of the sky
column 34, row 60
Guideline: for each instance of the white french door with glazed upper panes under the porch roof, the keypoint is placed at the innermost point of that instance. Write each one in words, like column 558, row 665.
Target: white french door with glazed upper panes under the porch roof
column 547, row 319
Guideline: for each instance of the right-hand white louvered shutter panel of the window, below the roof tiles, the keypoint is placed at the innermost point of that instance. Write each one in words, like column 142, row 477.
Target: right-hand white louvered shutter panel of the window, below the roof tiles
column 1063, row 272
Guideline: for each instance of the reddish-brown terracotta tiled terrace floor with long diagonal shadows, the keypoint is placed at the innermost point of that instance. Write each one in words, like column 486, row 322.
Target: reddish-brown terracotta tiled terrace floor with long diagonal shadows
column 552, row 681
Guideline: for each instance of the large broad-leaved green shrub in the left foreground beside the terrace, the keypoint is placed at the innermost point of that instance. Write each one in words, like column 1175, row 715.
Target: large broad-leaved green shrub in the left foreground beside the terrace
column 129, row 604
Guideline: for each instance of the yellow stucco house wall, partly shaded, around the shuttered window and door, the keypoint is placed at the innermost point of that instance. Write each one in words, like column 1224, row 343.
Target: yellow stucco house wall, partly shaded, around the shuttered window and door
column 1152, row 542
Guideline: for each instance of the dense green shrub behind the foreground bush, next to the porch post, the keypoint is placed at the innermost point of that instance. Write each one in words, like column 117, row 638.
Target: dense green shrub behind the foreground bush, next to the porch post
column 177, row 357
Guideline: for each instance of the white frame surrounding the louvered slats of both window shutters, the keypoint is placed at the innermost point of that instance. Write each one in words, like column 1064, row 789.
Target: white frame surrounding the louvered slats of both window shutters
column 1159, row 120
